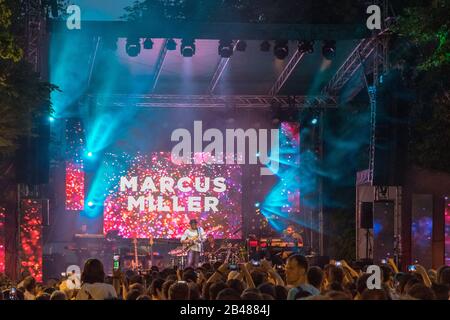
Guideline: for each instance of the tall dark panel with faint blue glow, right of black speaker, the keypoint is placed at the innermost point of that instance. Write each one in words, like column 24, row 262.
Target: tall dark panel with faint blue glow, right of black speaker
column 383, row 229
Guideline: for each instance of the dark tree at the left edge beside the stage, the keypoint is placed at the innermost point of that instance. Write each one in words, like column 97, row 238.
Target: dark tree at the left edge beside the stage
column 23, row 96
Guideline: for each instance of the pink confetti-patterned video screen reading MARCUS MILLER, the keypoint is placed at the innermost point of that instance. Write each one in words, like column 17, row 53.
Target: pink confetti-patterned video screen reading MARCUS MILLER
column 168, row 213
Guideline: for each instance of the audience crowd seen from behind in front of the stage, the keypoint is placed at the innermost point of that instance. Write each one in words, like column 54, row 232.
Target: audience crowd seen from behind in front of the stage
column 295, row 280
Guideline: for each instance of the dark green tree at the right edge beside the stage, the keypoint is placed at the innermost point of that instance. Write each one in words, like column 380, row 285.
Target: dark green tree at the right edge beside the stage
column 423, row 53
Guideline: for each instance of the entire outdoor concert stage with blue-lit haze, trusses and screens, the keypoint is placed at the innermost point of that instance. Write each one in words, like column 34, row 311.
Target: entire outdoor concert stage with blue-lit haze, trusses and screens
column 141, row 145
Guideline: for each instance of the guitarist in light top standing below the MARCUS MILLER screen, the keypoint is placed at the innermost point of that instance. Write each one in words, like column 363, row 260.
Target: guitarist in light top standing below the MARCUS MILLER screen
column 192, row 240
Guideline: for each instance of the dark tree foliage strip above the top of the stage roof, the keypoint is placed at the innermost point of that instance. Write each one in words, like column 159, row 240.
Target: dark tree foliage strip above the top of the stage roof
column 254, row 11
